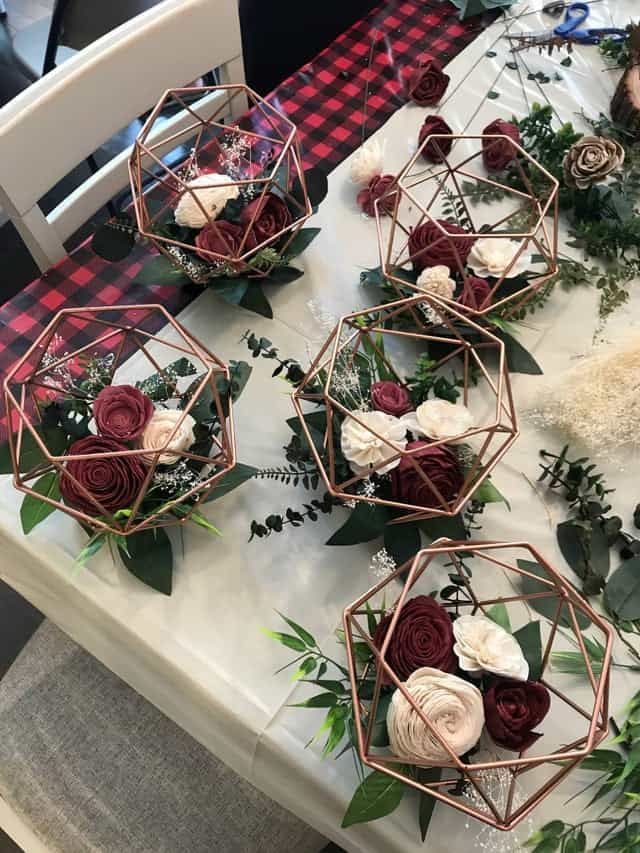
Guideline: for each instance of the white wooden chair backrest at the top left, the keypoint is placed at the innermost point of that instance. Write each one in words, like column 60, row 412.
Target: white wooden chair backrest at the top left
column 66, row 115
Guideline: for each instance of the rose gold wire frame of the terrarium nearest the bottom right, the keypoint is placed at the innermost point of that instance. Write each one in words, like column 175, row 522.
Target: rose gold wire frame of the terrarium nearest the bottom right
column 561, row 761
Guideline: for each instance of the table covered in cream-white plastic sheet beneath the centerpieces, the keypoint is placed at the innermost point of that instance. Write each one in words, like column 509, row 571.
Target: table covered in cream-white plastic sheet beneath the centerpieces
column 200, row 655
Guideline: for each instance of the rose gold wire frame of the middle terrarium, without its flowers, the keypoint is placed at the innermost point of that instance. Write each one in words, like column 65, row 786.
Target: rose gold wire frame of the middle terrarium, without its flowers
column 364, row 326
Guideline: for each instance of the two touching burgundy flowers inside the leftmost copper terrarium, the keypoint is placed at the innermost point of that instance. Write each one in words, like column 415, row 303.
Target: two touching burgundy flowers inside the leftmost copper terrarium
column 104, row 482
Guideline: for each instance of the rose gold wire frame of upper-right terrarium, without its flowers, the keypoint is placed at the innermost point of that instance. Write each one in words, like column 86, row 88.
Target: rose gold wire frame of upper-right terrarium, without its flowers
column 543, row 235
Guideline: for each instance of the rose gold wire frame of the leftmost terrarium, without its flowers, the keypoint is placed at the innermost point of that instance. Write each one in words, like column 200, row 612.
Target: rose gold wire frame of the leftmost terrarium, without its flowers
column 23, row 404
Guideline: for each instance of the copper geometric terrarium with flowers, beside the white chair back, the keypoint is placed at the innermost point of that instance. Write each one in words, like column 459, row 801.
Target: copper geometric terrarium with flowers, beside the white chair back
column 219, row 199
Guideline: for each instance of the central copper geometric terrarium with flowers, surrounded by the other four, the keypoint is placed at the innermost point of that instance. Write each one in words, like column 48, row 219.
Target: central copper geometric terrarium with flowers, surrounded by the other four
column 459, row 415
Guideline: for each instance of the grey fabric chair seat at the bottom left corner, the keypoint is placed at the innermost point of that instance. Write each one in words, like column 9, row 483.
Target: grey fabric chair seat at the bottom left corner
column 90, row 765
